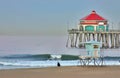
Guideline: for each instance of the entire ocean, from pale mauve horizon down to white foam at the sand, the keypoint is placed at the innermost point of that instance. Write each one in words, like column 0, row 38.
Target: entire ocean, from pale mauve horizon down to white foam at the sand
column 35, row 52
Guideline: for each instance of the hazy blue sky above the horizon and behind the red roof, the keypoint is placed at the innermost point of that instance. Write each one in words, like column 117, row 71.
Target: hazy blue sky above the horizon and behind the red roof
column 39, row 17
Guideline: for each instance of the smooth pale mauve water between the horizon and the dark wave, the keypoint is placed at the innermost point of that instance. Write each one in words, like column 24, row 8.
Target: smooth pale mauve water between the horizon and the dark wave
column 43, row 45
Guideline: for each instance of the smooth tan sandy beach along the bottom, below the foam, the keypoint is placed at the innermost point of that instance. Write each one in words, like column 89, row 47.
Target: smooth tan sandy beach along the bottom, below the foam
column 63, row 72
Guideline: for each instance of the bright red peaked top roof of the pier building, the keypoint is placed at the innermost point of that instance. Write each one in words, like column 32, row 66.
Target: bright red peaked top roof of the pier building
column 93, row 16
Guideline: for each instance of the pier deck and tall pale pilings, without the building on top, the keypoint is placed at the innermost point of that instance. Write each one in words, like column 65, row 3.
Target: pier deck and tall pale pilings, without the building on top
column 109, row 39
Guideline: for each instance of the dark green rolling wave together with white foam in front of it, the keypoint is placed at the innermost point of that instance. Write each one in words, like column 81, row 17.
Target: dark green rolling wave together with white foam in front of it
column 43, row 60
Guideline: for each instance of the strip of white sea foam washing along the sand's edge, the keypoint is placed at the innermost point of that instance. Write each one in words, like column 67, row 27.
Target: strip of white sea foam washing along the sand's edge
column 50, row 63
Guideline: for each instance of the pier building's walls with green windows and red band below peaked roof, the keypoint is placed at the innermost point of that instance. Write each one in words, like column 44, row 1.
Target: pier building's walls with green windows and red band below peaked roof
column 93, row 25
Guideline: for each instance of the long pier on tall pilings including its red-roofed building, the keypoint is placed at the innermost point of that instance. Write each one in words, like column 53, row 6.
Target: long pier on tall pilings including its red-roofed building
column 93, row 27
